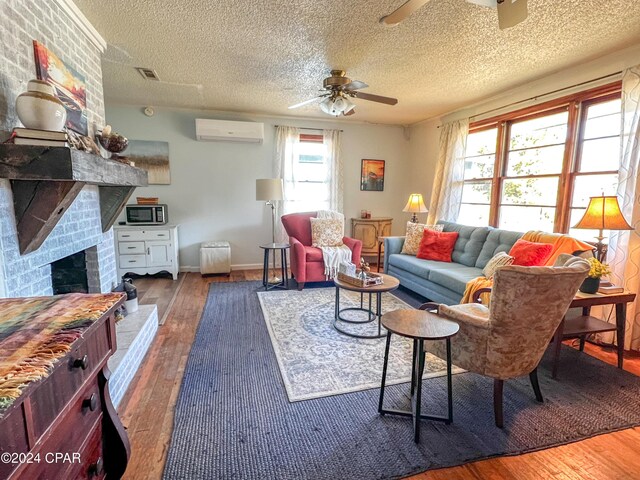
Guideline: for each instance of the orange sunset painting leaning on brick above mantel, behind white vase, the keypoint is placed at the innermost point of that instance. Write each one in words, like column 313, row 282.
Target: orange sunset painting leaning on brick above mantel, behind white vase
column 69, row 86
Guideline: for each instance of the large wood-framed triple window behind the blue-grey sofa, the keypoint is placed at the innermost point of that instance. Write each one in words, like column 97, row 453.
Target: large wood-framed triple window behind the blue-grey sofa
column 535, row 169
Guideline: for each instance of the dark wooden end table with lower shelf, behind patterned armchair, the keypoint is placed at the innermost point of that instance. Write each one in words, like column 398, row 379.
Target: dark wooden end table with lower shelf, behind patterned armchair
column 585, row 324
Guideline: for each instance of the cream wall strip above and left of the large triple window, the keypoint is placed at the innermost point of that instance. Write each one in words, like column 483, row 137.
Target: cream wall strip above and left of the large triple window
column 424, row 135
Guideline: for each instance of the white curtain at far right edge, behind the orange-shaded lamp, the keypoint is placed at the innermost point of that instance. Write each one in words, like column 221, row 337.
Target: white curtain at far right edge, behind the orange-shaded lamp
column 624, row 246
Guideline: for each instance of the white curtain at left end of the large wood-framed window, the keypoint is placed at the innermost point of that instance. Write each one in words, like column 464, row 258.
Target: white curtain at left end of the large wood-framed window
column 446, row 195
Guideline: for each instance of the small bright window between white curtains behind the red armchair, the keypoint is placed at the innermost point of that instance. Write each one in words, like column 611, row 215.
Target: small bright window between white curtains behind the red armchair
column 310, row 174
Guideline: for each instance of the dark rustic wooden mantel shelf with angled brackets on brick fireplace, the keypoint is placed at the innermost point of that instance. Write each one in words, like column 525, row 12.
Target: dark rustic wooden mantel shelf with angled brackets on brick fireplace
column 46, row 180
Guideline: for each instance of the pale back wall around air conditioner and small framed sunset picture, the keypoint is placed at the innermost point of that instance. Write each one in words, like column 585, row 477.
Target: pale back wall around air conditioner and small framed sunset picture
column 212, row 191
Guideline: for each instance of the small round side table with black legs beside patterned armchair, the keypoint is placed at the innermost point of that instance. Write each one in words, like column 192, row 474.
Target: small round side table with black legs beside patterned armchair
column 418, row 325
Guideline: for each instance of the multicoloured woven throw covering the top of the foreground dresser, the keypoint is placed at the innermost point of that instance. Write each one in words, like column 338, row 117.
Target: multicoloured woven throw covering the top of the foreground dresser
column 36, row 332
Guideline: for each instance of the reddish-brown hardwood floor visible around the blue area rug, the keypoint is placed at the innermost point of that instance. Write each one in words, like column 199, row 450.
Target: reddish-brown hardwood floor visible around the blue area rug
column 147, row 408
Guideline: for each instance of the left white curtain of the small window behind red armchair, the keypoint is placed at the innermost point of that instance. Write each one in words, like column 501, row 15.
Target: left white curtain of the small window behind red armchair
column 284, row 163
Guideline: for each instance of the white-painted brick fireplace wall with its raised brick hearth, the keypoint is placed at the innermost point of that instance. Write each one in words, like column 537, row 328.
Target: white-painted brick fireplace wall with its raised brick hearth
column 77, row 240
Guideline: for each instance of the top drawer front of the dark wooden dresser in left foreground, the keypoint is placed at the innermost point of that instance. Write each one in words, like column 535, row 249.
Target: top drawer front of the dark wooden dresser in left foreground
column 49, row 399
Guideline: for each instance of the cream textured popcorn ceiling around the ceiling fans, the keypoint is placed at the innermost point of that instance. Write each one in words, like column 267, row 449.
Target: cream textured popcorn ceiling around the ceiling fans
column 261, row 56
